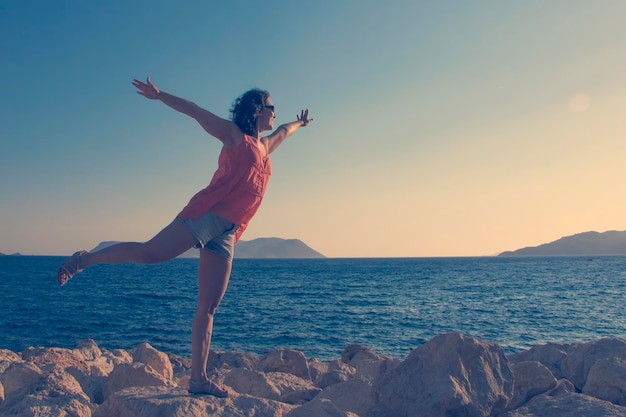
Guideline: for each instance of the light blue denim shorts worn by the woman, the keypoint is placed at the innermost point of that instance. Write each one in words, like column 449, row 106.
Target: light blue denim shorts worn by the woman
column 213, row 233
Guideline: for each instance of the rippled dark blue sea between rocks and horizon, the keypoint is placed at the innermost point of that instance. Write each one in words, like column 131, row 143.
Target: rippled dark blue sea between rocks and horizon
column 318, row 306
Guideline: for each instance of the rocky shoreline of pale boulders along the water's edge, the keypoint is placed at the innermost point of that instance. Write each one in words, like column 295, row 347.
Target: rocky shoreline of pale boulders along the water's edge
column 450, row 375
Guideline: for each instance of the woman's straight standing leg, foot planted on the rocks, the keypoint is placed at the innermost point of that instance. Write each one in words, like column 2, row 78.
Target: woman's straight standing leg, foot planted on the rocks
column 213, row 276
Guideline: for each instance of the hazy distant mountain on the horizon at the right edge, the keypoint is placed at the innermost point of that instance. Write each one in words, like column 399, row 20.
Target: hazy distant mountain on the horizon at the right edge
column 581, row 244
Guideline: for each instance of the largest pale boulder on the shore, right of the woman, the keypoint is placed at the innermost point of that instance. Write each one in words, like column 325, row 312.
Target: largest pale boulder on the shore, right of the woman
column 452, row 374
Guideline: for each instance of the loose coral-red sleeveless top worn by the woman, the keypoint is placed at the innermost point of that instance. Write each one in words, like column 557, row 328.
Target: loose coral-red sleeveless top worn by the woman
column 237, row 188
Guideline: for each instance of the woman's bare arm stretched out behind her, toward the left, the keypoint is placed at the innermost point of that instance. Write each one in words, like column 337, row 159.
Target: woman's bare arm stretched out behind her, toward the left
column 224, row 130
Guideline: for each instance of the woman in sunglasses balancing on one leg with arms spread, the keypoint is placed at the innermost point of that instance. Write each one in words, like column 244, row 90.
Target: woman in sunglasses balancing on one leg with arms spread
column 215, row 217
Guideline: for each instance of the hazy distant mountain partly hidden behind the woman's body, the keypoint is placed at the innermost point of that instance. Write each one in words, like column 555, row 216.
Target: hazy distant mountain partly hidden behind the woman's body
column 269, row 247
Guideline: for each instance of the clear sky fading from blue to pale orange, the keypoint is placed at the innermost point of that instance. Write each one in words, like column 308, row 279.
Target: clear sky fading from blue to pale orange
column 442, row 128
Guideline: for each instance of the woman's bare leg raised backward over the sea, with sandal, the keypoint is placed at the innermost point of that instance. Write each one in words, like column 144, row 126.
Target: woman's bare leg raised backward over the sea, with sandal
column 167, row 244
